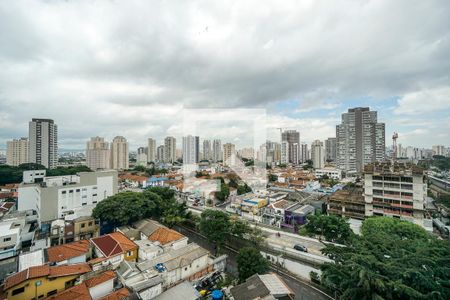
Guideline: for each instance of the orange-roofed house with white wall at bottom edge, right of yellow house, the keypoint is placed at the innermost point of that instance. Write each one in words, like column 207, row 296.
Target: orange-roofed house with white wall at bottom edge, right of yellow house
column 99, row 286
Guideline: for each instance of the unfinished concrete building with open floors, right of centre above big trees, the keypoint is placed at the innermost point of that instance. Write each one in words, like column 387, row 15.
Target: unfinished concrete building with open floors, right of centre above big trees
column 397, row 190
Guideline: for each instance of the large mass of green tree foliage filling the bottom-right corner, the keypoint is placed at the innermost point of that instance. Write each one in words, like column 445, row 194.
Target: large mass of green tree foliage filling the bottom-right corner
column 392, row 259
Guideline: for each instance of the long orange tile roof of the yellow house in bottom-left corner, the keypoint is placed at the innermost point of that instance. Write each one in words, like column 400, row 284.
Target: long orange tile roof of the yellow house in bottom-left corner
column 45, row 270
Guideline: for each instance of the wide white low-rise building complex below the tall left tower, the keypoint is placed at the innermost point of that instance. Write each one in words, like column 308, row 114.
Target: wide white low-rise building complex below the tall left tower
column 60, row 196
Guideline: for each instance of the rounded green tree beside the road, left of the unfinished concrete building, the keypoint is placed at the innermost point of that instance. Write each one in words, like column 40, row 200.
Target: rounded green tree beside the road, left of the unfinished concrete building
column 332, row 228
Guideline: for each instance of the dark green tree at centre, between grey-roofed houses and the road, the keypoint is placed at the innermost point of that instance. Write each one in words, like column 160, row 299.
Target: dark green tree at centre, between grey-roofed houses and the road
column 215, row 225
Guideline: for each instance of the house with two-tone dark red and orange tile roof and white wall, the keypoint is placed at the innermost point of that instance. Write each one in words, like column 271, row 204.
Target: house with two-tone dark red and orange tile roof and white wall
column 112, row 249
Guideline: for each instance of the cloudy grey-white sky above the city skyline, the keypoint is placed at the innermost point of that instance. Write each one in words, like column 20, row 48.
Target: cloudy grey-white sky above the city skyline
column 131, row 68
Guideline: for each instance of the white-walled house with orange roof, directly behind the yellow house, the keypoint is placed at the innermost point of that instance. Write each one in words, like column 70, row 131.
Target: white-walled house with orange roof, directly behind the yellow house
column 71, row 253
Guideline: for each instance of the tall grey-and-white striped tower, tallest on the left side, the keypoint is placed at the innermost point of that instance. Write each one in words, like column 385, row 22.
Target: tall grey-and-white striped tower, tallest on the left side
column 43, row 141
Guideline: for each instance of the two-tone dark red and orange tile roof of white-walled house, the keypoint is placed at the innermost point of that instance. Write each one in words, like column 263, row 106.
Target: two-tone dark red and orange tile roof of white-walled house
column 113, row 244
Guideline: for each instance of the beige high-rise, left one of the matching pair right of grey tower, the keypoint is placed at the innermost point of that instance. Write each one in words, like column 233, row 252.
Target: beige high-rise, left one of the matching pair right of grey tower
column 98, row 154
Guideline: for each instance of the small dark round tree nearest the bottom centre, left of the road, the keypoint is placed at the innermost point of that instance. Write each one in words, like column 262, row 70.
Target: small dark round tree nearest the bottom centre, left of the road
column 250, row 262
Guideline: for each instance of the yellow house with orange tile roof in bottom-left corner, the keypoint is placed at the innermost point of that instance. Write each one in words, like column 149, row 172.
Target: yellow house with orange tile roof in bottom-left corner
column 42, row 281
